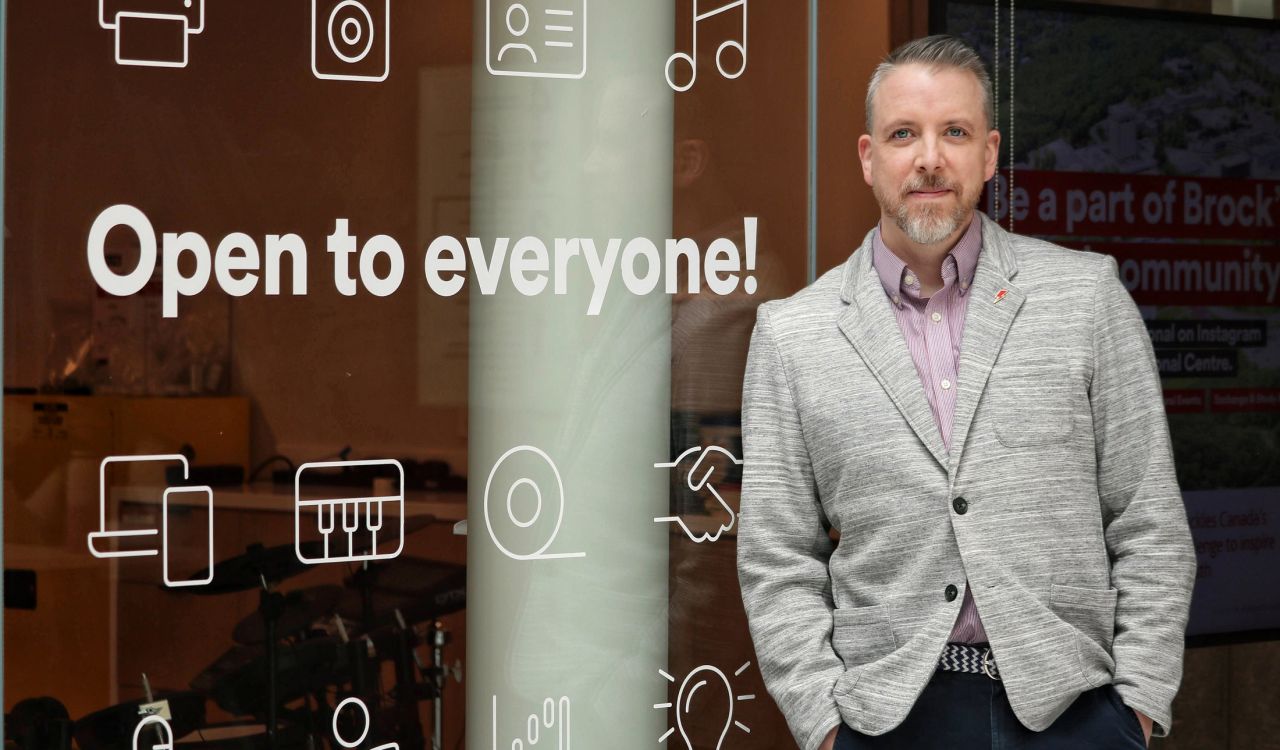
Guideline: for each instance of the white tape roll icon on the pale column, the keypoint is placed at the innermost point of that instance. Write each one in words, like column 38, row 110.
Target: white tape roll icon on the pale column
column 524, row 461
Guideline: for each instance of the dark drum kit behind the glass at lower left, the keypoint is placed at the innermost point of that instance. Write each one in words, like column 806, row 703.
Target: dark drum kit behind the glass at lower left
column 304, row 656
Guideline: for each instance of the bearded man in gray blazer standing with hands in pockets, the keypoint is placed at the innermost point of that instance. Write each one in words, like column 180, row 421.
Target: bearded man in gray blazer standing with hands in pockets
column 1014, row 565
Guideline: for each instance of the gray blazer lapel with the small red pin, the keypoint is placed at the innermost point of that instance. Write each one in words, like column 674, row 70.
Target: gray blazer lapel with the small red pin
column 986, row 324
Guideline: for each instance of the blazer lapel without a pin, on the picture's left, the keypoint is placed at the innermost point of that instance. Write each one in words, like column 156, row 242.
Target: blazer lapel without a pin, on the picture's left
column 871, row 327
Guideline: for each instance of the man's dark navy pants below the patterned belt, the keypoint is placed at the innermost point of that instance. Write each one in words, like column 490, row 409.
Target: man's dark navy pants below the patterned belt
column 959, row 711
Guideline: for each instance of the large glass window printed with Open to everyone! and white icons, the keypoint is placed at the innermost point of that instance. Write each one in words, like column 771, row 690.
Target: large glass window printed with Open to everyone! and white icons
column 365, row 345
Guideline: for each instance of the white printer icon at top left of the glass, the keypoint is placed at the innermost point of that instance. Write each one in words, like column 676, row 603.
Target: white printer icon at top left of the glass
column 184, row 20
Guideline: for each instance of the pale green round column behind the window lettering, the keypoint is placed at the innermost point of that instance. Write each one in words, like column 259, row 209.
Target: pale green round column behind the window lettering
column 569, row 413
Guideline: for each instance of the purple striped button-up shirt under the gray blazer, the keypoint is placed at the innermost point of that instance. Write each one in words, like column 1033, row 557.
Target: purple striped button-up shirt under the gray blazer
column 934, row 328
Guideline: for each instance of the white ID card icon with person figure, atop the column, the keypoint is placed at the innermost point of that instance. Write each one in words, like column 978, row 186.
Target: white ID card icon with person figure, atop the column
column 536, row 39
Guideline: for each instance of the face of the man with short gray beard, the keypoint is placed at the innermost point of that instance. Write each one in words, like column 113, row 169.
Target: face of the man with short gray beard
column 930, row 150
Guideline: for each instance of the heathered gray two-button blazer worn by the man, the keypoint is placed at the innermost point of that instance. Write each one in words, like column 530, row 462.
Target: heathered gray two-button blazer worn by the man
column 1075, row 541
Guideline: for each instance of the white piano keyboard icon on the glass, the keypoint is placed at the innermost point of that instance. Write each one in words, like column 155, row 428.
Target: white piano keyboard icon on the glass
column 345, row 523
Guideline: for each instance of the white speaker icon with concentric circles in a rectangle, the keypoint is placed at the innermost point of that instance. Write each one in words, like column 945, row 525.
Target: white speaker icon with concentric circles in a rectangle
column 351, row 40
